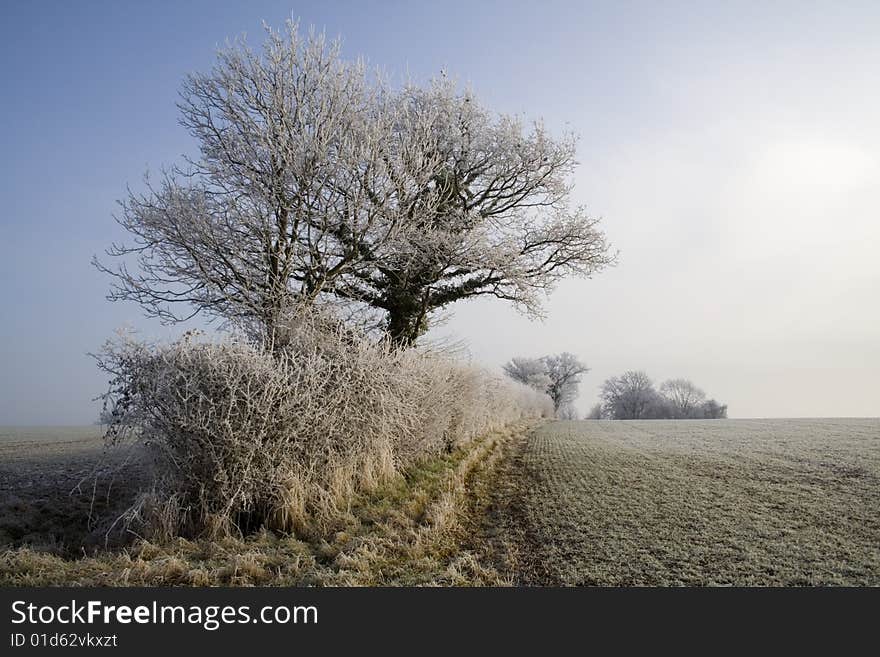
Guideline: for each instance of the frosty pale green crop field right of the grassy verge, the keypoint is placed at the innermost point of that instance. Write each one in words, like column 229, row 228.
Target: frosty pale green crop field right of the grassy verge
column 761, row 502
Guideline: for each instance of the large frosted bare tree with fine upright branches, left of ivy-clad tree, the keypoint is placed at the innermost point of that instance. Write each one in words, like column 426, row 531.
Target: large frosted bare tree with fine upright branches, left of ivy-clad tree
column 300, row 152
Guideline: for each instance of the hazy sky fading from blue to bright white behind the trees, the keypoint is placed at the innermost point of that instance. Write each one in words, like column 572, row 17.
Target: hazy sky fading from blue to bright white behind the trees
column 733, row 150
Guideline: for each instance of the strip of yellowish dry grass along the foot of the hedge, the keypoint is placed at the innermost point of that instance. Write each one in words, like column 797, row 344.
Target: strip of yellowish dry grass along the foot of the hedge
column 415, row 529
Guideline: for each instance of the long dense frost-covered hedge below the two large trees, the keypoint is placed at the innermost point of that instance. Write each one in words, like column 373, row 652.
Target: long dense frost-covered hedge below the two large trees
column 247, row 436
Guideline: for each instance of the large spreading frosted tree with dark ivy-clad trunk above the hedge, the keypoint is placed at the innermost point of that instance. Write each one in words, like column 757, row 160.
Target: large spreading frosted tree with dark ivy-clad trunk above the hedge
column 503, row 226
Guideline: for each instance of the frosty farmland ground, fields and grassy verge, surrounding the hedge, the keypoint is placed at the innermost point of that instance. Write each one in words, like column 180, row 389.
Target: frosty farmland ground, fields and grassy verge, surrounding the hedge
column 733, row 502
